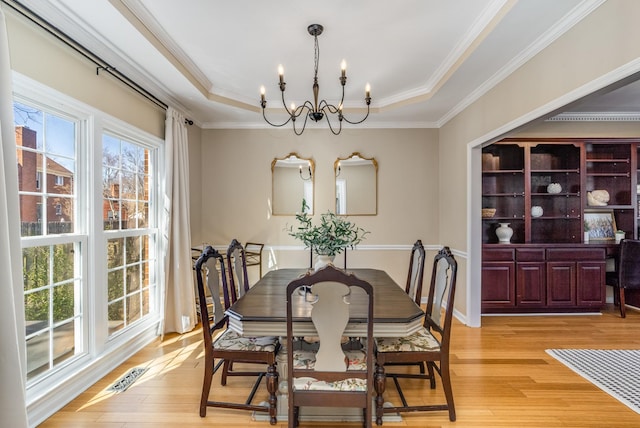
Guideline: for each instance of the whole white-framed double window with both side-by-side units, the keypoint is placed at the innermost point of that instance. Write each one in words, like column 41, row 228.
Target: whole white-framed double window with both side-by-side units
column 89, row 249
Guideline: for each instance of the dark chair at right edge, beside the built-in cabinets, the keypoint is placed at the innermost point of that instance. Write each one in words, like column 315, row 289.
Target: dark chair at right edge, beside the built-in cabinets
column 627, row 273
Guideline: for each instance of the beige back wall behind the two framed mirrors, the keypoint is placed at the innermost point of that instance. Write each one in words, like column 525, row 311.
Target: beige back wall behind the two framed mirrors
column 236, row 190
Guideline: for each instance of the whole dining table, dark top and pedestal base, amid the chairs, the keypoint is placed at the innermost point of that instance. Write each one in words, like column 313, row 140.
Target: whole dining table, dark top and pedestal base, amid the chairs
column 262, row 312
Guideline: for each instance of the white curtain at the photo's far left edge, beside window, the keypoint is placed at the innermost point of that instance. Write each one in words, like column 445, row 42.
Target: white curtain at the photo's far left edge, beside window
column 12, row 349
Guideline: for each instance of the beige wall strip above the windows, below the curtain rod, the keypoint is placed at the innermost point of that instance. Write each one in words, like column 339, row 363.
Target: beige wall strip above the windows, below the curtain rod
column 37, row 55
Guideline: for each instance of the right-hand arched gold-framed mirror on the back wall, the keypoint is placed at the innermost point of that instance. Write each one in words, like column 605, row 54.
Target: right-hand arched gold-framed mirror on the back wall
column 356, row 185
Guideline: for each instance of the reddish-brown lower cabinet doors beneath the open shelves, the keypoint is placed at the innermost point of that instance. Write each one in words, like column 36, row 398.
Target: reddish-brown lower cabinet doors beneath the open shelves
column 543, row 278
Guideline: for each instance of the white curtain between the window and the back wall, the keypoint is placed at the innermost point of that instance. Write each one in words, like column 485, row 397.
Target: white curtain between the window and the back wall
column 179, row 298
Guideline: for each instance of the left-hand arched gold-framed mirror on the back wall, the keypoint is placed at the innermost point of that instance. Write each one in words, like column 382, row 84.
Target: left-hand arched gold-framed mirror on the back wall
column 292, row 179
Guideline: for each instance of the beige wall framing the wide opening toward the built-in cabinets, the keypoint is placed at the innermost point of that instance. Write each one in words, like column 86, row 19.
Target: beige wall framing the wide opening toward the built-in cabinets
column 595, row 49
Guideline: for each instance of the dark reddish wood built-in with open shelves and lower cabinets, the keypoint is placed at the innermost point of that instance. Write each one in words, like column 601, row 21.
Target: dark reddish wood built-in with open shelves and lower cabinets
column 547, row 266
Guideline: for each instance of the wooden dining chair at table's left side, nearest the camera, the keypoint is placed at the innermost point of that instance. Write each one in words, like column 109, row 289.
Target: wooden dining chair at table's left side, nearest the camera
column 228, row 346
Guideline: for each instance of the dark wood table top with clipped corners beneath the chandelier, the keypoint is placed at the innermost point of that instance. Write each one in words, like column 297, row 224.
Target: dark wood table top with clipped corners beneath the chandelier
column 262, row 311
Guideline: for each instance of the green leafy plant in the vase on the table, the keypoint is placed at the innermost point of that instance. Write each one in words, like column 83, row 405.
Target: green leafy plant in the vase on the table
column 330, row 237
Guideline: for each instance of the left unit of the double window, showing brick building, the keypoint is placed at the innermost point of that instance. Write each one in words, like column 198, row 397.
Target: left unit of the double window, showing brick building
column 52, row 276
